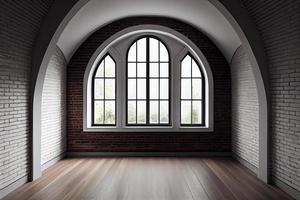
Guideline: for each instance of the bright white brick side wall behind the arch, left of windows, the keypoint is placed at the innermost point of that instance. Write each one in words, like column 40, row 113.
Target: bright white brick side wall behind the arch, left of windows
column 54, row 109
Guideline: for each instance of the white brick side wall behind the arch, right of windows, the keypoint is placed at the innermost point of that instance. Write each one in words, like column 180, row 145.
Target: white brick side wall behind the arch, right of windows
column 244, row 109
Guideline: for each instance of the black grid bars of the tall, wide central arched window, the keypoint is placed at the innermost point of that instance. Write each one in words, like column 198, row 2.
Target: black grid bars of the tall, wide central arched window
column 148, row 78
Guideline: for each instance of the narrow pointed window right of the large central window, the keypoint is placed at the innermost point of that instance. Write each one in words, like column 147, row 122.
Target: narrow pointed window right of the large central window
column 192, row 92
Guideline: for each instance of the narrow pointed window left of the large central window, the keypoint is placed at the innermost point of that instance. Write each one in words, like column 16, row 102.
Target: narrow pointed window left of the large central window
column 104, row 93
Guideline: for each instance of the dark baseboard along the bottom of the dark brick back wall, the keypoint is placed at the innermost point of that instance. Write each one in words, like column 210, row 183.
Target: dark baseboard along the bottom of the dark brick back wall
column 147, row 154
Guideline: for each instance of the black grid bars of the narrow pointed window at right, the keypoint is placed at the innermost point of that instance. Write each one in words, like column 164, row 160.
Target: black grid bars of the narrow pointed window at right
column 192, row 99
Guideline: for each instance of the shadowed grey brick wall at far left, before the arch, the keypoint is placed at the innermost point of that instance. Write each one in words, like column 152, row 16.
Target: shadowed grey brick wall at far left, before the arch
column 19, row 26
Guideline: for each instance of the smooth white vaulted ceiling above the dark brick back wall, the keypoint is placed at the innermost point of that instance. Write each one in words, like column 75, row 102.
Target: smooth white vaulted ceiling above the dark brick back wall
column 199, row 13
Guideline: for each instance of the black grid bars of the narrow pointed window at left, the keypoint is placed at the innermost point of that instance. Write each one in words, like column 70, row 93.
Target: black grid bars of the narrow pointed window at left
column 104, row 99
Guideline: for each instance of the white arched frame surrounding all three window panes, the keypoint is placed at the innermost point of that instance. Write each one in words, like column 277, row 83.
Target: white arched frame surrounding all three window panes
column 117, row 46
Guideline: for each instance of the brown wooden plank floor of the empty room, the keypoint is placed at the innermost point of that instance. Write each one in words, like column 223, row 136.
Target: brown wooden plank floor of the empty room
column 148, row 179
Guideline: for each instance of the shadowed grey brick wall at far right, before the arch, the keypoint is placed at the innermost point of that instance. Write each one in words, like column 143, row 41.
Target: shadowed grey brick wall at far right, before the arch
column 279, row 25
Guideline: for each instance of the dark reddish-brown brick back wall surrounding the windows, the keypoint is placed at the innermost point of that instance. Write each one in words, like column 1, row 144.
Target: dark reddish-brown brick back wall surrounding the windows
column 217, row 141
